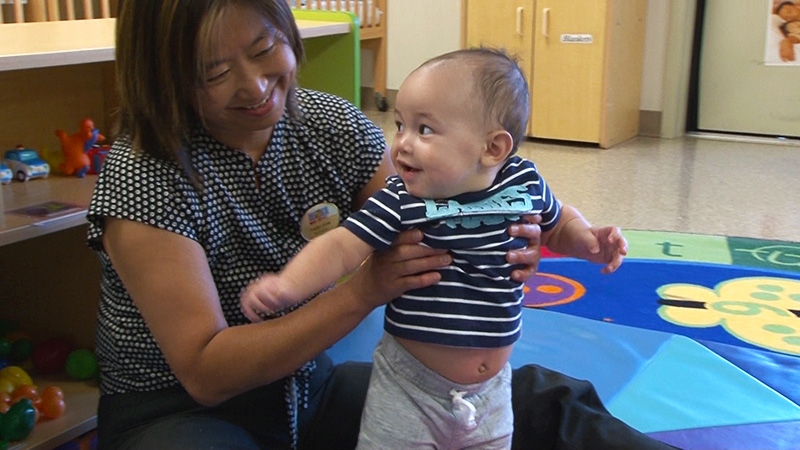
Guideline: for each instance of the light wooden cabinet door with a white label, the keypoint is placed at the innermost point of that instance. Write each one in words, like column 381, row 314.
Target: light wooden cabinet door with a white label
column 568, row 73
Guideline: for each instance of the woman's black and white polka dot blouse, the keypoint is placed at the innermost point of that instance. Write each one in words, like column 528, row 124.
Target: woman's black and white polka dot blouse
column 245, row 228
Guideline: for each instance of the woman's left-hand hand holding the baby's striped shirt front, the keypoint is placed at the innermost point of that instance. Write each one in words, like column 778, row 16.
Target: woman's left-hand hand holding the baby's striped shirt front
column 406, row 265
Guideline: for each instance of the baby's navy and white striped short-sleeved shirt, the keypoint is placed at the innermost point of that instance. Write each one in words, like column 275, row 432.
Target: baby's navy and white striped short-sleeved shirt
column 476, row 304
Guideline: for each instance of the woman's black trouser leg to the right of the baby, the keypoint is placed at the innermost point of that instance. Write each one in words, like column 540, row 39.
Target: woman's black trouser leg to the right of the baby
column 555, row 411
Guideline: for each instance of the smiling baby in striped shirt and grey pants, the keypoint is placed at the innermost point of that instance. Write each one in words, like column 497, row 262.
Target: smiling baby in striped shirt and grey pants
column 441, row 373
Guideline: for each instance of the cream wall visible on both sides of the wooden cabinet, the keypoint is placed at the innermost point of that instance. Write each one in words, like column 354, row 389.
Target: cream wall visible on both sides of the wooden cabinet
column 420, row 29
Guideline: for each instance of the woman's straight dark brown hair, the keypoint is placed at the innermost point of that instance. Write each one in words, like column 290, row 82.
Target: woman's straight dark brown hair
column 159, row 49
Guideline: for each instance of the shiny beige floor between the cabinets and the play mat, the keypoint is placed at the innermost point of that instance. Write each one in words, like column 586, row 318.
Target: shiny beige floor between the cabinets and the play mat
column 688, row 184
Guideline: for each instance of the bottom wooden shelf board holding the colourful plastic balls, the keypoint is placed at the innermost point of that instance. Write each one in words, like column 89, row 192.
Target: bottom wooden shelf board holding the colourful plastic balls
column 80, row 416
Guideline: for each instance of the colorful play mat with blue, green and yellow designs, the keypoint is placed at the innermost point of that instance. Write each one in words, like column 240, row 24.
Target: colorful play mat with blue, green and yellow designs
column 695, row 340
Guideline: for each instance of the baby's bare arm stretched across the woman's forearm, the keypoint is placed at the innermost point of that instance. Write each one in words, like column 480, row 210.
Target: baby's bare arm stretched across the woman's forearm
column 319, row 264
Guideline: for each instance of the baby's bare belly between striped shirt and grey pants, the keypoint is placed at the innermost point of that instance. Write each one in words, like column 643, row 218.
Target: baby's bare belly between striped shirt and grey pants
column 459, row 364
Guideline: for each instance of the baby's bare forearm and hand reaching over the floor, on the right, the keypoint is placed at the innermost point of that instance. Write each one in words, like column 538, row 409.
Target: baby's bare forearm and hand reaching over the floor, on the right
column 574, row 236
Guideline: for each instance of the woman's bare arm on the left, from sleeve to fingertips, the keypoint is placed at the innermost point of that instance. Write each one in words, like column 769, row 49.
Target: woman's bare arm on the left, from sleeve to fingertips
column 168, row 277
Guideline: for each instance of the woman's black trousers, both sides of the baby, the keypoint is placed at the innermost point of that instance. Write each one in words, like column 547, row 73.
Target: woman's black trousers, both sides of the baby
column 551, row 411
